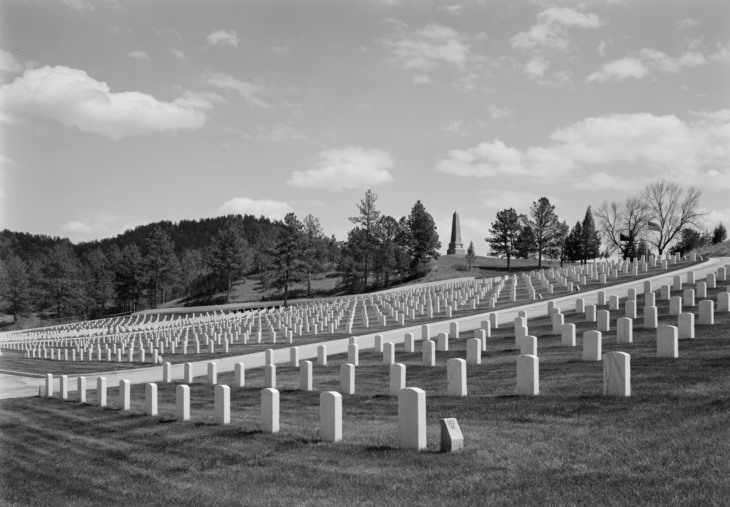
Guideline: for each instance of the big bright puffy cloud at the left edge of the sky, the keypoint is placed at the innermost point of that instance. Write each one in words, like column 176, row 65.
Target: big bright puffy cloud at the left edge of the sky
column 73, row 98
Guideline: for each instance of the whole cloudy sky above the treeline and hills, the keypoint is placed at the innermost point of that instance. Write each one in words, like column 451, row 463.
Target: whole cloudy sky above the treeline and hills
column 119, row 113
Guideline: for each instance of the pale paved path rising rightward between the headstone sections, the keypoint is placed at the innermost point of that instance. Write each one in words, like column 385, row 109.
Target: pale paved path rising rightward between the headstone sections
column 12, row 386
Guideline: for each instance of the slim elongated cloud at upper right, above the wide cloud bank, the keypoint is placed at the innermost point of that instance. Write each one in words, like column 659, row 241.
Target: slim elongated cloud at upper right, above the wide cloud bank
column 645, row 62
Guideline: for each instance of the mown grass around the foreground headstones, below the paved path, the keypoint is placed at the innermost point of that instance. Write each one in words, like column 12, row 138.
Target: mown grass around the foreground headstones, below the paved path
column 668, row 444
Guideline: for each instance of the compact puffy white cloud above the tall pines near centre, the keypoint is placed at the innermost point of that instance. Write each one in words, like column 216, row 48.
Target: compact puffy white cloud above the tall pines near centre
column 352, row 167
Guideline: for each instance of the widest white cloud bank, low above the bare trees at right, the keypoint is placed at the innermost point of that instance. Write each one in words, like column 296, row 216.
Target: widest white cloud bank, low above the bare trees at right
column 617, row 145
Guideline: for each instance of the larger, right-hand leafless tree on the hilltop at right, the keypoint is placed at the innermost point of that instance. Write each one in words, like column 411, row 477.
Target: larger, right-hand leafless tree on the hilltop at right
column 671, row 209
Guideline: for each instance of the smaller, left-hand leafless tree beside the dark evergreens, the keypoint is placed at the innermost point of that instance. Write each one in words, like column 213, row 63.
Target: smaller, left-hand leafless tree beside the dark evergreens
column 622, row 224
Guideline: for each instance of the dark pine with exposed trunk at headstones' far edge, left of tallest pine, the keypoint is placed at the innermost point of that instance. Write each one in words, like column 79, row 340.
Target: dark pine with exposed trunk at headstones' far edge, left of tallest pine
column 289, row 254
